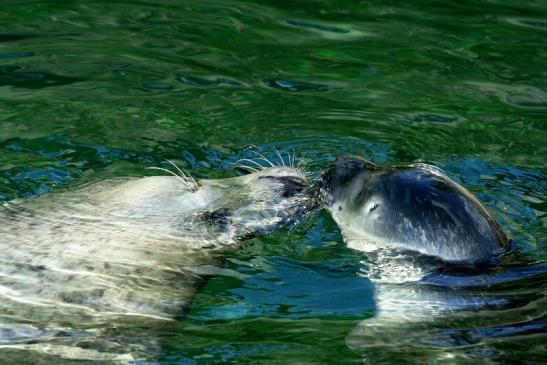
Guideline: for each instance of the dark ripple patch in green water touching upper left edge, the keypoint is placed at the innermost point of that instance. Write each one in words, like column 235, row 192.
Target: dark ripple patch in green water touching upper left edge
column 10, row 76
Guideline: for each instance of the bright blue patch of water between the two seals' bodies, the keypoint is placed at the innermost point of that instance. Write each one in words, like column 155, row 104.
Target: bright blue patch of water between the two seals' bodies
column 277, row 287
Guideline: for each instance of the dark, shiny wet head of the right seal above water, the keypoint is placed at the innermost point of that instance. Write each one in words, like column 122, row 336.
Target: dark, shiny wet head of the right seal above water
column 415, row 207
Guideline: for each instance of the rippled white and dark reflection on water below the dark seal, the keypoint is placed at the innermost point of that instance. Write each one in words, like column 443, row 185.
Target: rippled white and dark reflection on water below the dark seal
column 451, row 316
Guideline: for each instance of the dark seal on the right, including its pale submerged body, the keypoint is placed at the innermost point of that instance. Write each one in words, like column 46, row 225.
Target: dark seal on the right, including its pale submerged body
column 416, row 225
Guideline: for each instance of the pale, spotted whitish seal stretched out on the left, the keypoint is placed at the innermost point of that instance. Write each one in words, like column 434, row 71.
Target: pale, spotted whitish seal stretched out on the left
column 81, row 269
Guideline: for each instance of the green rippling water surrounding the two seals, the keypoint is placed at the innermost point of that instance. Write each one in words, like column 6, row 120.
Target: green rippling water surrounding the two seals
column 96, row 89
